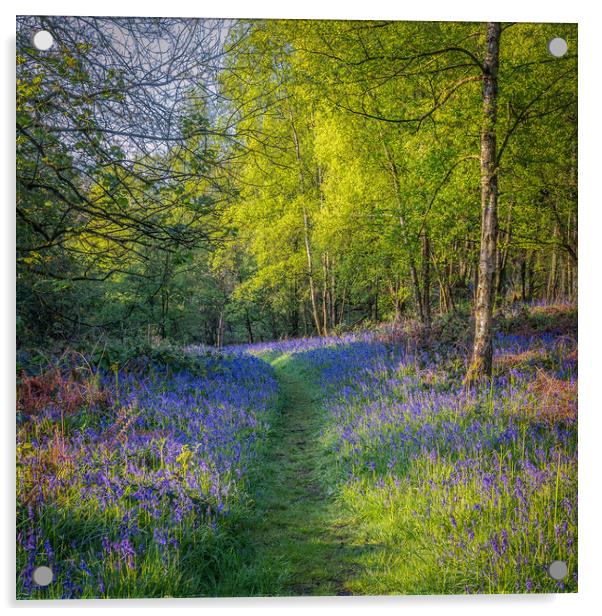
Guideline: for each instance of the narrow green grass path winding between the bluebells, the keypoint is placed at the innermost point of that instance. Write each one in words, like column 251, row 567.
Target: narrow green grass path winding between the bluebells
column 300, row 545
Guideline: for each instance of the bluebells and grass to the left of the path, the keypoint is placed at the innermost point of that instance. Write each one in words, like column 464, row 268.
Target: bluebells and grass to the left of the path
column 138, row 496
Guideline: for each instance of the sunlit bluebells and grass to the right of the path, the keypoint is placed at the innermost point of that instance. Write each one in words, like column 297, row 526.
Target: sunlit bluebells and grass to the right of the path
column 460, row 491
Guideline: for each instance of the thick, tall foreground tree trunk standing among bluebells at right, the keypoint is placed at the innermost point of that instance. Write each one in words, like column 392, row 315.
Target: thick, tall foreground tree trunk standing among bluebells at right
column 481, row 362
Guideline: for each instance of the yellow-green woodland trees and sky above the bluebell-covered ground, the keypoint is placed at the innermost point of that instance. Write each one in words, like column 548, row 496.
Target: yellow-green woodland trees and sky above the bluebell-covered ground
column 221, row 181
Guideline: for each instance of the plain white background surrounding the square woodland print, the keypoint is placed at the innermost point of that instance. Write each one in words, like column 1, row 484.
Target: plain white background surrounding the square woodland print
column 590, row 432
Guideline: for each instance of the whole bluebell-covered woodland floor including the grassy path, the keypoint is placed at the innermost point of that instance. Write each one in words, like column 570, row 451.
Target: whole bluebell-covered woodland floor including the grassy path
column 366, row 472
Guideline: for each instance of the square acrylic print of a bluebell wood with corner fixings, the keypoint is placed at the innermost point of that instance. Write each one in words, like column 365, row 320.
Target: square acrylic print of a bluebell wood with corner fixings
column 296, row 308
